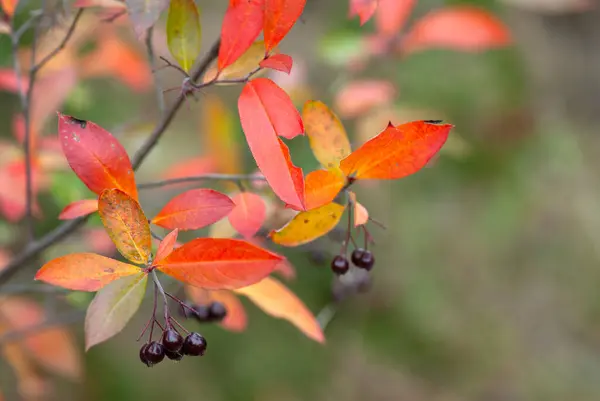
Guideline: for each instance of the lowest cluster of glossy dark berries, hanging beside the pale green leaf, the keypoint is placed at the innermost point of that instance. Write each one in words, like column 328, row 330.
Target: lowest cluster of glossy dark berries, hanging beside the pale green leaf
column 173, row 346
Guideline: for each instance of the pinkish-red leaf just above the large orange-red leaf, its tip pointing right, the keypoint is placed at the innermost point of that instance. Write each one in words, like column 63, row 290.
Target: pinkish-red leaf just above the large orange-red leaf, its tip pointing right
column 194, row 209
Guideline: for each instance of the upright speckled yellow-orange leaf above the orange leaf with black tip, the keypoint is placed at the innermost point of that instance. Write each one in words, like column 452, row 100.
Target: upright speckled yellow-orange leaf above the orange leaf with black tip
column 327, row 136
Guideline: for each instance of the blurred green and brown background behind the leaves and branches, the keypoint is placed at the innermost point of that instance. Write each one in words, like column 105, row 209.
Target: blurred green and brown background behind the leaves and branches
column 487, row 276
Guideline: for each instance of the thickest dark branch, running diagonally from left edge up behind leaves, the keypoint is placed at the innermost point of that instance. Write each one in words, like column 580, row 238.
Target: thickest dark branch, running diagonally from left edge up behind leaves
column 35, row 247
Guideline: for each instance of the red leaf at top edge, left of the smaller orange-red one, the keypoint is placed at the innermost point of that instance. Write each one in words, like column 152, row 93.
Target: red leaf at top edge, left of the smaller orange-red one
column 242, row 23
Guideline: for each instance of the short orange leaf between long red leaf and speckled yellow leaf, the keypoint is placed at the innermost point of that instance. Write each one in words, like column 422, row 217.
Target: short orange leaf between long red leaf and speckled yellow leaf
column 321, row 187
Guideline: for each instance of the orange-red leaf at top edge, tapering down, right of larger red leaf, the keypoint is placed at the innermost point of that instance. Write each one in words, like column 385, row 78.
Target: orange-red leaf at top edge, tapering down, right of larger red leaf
column 280, row 17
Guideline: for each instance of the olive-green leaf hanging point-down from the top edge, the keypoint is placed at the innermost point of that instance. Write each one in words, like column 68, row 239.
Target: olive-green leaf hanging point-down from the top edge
column 184, row 33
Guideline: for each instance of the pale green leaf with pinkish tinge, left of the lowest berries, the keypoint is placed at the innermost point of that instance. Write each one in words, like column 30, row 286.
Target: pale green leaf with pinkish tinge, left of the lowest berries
column 113, row 306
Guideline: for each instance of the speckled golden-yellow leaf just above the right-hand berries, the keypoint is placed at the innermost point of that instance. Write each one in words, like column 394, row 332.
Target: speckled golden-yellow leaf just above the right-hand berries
column 308, row 226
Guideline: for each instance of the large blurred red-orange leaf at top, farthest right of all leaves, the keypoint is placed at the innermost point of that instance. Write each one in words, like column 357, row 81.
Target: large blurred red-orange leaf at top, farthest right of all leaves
column 463, row 28
